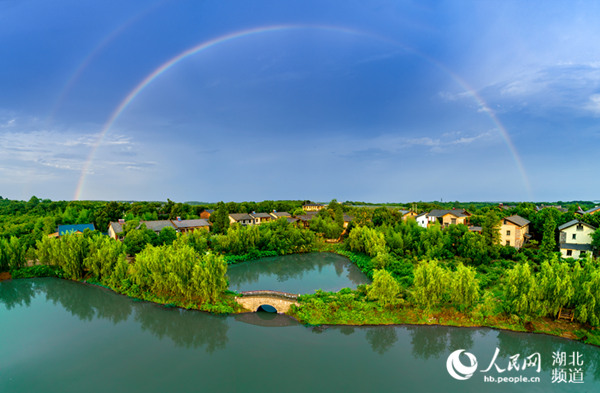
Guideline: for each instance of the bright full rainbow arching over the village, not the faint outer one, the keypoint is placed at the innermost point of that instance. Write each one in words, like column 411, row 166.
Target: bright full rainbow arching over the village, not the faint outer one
column 270, row 29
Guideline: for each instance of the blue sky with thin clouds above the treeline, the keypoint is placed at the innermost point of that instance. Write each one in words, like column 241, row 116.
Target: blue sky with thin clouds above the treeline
column 380, row 101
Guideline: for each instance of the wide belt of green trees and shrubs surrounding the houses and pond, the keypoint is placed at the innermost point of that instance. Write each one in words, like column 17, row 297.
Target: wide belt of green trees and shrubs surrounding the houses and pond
column 436, row 275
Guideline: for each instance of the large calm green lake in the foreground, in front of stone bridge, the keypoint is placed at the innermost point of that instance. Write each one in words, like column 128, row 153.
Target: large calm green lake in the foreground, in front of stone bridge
column 61, row 336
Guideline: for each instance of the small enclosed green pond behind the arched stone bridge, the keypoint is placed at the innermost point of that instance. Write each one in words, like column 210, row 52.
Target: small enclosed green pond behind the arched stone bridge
column 298, row 273
